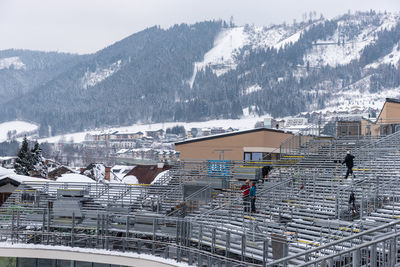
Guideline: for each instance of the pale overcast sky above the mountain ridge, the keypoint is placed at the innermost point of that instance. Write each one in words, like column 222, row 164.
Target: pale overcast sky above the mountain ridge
column 85, row 26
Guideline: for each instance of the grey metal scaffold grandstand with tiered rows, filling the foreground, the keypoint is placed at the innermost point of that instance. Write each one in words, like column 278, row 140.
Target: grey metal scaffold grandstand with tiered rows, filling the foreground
column 194, row 214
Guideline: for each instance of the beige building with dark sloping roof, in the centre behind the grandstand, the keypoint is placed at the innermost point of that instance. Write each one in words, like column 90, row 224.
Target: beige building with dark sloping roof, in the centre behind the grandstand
column 255, row 144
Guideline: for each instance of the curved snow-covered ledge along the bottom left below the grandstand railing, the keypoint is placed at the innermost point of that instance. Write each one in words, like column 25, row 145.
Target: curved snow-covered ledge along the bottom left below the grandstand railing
column 95, row 251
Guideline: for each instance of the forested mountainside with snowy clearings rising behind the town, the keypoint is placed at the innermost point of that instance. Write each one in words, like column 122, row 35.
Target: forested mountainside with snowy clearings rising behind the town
column 212, row 70
